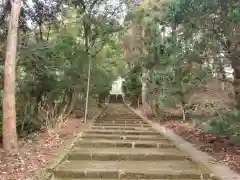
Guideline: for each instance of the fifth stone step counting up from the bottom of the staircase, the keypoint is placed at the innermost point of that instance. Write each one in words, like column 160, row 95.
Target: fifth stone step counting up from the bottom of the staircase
column 130, row 132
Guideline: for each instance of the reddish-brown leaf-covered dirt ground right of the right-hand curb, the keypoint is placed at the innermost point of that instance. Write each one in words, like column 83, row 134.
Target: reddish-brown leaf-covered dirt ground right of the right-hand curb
column 221, row 149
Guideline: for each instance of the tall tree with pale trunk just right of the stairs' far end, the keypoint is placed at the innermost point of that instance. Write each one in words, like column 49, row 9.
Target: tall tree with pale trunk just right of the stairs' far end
column 144, row 27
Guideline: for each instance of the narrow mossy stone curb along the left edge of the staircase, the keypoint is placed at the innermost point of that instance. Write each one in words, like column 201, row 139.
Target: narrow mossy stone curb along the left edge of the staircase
column 46, row 173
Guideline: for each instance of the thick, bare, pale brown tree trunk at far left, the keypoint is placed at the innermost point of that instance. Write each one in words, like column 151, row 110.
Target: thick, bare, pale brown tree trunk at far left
column 9, row 104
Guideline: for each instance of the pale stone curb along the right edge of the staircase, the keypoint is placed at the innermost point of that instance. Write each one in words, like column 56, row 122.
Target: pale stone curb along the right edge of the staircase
column 220, row 171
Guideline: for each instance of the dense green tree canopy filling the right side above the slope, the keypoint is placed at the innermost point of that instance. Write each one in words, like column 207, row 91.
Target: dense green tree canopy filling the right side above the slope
column 181, row 49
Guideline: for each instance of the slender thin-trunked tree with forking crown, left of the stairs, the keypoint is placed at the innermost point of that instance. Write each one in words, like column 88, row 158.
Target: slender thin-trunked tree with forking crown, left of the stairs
column 98, row 28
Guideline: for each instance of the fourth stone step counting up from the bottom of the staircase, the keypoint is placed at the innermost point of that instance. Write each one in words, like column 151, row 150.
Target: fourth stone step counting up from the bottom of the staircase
column 119, row 137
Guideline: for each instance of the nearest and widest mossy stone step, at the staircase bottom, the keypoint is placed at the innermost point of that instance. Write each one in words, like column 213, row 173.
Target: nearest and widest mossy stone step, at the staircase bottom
column 131, row 170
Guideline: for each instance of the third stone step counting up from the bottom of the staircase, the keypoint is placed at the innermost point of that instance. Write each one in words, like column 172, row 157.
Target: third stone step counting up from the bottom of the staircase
column 98, row 143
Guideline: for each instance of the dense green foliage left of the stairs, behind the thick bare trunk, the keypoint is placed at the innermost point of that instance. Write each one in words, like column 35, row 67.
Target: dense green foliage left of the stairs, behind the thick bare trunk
column 52, row 69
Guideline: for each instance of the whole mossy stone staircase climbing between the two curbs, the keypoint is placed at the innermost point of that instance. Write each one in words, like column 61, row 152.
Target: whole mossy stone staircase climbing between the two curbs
column 120, row 145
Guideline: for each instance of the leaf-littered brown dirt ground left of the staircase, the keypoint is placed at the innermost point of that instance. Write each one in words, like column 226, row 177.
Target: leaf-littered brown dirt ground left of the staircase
column 37, row 153
